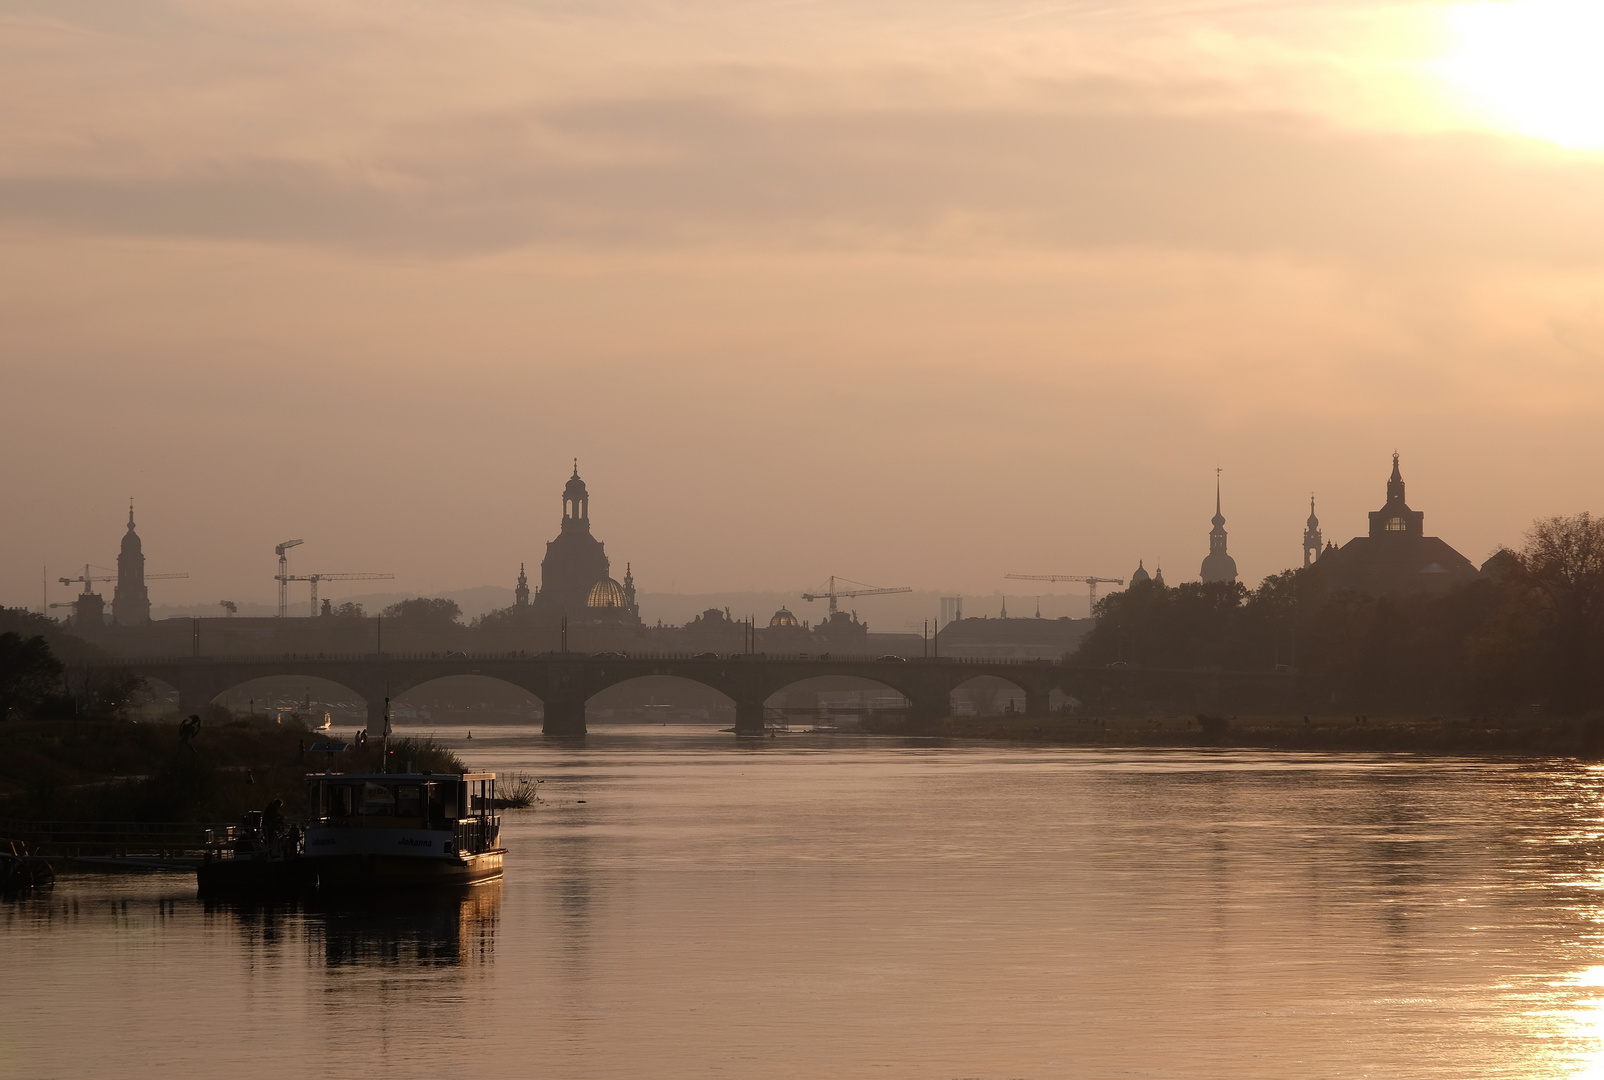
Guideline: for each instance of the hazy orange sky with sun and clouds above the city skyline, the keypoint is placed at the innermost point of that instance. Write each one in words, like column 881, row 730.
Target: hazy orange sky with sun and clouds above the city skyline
column 917, row 293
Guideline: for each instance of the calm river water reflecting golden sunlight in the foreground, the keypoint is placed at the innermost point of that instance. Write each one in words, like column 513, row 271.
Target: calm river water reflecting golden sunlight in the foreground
column 684, row 906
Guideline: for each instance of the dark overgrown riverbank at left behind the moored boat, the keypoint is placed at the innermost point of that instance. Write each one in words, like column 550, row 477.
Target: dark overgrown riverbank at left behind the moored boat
column 116, row 771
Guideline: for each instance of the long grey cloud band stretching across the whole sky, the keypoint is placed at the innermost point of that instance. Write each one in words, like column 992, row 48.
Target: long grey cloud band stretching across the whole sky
column 674, row 173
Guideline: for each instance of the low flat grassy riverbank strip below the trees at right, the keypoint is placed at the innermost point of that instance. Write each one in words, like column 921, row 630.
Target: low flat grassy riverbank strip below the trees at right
column 1433, row 736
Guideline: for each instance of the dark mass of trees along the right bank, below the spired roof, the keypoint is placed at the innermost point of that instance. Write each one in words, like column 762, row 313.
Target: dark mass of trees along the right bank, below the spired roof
column 1526, row 635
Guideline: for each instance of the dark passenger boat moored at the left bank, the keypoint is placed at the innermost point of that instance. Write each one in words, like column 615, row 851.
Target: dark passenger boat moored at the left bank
column 371, row 830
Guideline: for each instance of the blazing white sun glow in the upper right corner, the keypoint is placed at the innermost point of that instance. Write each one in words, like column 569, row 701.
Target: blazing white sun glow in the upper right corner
column 1533, row 67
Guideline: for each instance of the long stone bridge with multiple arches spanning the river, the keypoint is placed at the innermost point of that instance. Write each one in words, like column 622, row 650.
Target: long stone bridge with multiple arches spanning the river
column 565, row 683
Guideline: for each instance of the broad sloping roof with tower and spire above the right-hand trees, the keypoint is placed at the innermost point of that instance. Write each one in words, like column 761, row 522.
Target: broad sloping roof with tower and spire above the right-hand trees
column 1396, row 556
